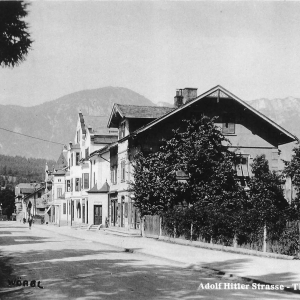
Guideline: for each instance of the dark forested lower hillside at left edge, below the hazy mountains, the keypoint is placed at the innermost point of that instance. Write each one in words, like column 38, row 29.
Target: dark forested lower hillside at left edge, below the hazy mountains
column 15, row 169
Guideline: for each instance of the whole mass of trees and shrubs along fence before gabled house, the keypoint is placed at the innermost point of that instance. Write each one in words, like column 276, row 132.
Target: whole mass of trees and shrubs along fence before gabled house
column 211, row 204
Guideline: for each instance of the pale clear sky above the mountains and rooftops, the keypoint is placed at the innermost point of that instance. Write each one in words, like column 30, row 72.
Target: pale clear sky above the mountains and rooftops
column 155, row 47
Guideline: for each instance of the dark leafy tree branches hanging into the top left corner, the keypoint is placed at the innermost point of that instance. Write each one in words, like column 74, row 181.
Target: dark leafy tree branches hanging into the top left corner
column 15, row 39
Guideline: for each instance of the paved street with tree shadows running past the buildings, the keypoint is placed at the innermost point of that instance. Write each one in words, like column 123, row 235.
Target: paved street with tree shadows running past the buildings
column 70, row 268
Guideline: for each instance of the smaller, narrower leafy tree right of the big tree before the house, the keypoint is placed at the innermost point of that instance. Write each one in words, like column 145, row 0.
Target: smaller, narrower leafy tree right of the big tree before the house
column 266, row 207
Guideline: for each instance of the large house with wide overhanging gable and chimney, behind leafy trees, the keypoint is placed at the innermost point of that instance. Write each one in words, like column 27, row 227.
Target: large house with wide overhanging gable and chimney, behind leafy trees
column 144, row 128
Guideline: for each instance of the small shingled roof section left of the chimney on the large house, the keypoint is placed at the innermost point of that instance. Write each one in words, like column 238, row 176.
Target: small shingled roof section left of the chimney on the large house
column 137, row 112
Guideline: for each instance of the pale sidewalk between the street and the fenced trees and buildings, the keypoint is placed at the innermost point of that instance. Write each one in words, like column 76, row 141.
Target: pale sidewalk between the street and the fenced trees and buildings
column 266, row 270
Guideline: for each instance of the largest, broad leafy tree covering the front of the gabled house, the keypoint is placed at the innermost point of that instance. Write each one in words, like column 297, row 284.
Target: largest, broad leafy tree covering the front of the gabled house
column 210, row 197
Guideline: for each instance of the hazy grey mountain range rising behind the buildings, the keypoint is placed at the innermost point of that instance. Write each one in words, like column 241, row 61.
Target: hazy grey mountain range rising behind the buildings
column 56, row 120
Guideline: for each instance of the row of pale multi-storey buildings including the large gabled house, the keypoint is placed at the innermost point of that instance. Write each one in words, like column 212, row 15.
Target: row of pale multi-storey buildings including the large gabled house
column 90, row 182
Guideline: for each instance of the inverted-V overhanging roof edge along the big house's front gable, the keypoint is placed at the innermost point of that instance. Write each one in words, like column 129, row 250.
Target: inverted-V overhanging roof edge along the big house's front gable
column 219, row 92
